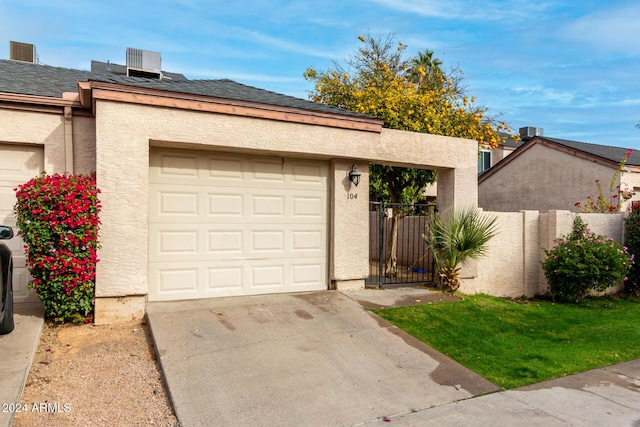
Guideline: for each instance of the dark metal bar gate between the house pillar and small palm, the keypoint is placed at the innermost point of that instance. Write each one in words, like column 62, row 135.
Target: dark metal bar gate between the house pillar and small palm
column 414, row 262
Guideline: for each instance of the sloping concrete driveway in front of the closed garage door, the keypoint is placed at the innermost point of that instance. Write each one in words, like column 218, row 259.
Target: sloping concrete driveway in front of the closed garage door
column 297, row 359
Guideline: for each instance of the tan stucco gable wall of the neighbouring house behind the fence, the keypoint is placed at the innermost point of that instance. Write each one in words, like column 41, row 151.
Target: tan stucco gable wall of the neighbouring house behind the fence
column 543, row 179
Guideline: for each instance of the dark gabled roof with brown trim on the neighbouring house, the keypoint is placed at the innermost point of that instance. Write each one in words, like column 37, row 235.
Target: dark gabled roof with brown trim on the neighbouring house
column 603, row 154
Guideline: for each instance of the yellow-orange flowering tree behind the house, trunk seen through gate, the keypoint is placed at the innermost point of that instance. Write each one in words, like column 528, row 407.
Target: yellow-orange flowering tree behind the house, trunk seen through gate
column 413, row 94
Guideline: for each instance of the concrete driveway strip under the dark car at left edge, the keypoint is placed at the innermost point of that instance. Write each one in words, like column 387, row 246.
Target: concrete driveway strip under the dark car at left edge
column 16, row 354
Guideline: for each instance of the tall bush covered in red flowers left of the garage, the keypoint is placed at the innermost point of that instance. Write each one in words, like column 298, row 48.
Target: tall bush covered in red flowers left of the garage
column 58, row 220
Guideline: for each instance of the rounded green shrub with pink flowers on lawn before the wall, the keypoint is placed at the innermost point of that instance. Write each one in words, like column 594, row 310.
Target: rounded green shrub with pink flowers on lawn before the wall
column 582, row 261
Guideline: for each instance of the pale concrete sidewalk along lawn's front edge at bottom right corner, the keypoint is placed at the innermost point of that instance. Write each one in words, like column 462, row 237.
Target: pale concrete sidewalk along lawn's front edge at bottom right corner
column 602, row 397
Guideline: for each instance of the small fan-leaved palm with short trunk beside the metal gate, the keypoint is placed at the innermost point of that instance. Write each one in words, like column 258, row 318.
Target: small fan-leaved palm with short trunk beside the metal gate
column 454, row 237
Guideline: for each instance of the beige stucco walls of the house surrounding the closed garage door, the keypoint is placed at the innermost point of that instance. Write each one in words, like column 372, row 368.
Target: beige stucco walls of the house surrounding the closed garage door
column 113, row 137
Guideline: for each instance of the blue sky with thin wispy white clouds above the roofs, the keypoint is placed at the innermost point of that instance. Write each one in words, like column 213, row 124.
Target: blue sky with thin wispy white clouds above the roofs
column 570, row 67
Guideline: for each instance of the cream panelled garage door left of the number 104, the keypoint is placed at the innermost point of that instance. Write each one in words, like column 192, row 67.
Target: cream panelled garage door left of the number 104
column 225, row 224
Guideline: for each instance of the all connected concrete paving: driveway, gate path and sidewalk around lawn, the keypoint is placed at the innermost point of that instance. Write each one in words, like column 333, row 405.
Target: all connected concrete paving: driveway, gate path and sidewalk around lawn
column 322, row 359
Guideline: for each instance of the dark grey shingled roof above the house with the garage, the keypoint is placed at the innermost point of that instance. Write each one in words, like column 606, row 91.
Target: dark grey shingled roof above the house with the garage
column 43, row 80
